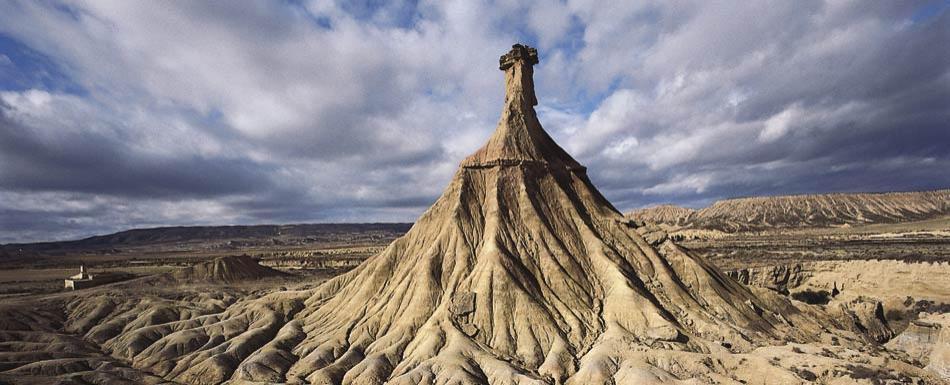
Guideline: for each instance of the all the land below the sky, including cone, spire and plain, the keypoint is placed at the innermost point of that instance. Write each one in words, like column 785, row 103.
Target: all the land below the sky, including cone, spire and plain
column 521, row 272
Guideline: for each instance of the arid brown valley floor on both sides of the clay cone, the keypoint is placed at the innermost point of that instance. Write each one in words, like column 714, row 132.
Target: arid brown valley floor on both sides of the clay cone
column 904, row 266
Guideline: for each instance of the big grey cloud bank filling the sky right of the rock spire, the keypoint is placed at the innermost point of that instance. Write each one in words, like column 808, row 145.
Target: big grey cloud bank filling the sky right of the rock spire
column 820, row 99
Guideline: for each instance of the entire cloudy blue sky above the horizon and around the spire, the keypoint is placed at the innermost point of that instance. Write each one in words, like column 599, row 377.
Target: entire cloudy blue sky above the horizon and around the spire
column 122, row 114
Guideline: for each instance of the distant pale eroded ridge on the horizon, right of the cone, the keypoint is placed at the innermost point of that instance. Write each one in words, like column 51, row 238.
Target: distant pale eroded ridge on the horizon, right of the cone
column 813, row 210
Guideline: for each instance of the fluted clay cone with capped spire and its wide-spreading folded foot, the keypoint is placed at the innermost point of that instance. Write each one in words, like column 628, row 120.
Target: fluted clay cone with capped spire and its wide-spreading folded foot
column 520, row 273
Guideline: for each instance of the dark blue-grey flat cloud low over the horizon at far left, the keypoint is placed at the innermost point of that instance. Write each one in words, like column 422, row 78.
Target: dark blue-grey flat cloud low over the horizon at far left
column 97, row 163
